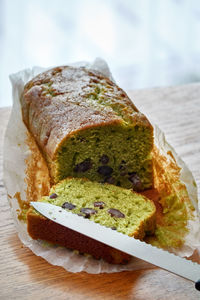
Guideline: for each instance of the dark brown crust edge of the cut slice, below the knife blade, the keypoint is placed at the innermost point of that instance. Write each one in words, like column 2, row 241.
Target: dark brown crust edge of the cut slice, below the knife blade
column 41, row 228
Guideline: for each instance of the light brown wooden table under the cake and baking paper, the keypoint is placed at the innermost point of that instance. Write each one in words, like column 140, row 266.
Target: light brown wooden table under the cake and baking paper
column 25, row 276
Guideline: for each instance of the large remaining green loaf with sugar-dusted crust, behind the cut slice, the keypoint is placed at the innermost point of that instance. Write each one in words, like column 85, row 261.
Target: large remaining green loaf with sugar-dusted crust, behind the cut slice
column 86, row 126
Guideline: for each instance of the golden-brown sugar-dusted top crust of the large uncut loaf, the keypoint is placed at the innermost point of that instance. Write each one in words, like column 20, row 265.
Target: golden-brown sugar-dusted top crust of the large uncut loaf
column 58, row 103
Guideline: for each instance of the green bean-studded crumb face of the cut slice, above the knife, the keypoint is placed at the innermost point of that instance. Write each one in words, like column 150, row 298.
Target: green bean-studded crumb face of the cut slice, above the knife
column 109, row 205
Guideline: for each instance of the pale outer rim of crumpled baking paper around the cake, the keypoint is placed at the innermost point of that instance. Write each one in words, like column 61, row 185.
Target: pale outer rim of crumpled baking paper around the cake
column 16, row 153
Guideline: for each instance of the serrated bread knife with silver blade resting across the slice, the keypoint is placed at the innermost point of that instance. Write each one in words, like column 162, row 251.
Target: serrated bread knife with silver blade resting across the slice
column 163, row 259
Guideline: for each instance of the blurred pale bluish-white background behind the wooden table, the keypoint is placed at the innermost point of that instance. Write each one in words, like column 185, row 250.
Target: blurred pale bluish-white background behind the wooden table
column 145, row 42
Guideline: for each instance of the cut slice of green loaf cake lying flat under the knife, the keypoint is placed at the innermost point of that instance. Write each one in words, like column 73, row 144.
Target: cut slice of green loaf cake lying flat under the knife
column 115, row 207
